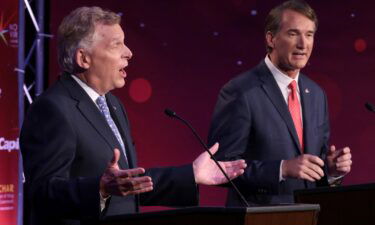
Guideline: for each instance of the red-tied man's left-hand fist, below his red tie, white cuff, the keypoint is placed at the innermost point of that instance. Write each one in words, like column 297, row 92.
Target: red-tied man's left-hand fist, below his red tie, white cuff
column 306, row 166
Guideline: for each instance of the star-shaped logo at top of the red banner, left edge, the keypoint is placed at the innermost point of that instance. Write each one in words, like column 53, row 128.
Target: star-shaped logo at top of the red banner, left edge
column 10, row 29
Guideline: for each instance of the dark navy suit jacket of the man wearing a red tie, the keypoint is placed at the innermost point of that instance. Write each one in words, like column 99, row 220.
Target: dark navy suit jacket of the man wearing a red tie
column 252, row 120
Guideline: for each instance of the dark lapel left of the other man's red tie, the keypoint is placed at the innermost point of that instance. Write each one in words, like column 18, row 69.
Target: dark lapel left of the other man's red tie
column 274, row 93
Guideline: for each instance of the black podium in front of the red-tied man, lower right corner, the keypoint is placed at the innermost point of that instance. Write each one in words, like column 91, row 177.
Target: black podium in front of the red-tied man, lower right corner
column 345, row 205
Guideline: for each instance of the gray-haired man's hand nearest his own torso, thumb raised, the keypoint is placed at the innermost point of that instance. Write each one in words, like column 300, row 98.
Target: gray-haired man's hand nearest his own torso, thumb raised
column 119, row 182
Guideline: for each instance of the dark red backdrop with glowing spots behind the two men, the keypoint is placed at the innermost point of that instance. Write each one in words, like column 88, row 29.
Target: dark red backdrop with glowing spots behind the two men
column 184, row 51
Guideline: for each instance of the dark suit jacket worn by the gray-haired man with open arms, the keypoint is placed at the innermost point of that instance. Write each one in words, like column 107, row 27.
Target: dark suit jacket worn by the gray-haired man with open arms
column 66, row 145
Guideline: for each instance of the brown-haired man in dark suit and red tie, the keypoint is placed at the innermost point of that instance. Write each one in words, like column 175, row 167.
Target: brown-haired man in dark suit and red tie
column 277, row 118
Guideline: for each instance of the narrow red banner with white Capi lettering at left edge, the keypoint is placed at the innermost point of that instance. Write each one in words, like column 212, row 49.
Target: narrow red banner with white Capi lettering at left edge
column 9, row 145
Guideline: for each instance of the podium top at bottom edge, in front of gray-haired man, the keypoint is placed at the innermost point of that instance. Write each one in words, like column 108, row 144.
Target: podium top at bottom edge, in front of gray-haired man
column 295, row 214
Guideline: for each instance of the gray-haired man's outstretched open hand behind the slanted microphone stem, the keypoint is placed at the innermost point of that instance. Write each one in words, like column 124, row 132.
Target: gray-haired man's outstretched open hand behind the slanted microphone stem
column 206, row 171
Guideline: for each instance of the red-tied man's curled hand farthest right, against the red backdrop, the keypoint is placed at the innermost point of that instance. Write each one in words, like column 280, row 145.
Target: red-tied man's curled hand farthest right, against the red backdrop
column 339, row 161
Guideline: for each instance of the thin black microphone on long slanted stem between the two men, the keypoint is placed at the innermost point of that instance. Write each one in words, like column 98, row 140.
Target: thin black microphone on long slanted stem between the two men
column 172, row 114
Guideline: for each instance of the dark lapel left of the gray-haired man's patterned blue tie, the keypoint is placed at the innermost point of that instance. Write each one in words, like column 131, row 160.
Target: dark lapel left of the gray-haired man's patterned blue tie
column 91, row 112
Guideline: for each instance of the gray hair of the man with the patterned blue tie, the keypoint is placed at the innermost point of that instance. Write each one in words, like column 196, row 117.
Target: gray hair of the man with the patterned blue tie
column 77, row 30
